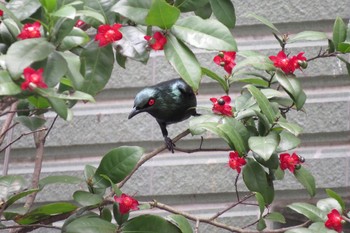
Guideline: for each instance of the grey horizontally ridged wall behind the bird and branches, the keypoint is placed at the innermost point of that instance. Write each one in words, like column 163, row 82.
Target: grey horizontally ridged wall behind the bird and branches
column 202, row 183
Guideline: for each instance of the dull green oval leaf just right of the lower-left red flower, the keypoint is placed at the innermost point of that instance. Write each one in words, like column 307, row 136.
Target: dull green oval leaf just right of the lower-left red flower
column 55, row 68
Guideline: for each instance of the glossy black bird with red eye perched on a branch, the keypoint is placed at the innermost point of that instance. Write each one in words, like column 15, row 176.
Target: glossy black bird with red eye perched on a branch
column 168, row 102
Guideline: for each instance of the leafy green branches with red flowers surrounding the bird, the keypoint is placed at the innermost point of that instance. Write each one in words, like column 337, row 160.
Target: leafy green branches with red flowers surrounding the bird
column 70, row 64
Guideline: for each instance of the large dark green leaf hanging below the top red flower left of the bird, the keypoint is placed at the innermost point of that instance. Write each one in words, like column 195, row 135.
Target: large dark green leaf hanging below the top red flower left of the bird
column 98, row 65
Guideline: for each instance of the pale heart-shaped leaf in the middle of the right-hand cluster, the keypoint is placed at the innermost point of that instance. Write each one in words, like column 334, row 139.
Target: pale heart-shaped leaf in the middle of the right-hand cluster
column 264, row 146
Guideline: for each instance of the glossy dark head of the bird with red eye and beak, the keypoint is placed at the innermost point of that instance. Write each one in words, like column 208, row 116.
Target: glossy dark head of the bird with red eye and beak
column 145, row 101
